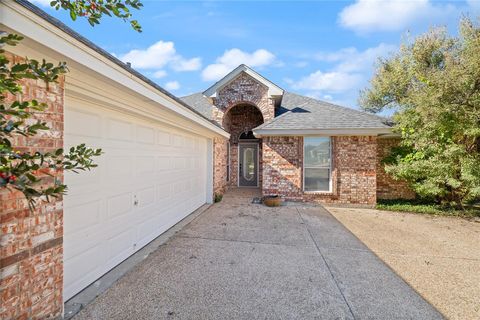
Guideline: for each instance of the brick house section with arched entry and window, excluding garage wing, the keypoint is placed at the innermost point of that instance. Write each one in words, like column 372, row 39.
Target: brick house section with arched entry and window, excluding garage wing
column 295, row 146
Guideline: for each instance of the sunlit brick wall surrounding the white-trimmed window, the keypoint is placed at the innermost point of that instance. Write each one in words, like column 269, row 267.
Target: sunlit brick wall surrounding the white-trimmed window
column 354, row 161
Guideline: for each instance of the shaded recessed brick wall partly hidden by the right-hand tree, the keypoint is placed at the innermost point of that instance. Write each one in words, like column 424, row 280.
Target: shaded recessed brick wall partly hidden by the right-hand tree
column 387, row 187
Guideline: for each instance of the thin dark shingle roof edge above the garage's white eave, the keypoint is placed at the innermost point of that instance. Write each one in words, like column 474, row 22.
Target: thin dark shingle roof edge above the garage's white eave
column 57, row 23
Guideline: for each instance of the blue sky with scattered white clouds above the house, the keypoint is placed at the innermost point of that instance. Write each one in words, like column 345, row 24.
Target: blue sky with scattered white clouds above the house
column 324, row 49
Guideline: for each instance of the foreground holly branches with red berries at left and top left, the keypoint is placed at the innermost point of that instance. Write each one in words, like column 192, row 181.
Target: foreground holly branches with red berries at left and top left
column 34, row 174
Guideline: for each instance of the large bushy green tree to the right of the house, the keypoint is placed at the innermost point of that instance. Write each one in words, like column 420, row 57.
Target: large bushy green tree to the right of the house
column 433, row 84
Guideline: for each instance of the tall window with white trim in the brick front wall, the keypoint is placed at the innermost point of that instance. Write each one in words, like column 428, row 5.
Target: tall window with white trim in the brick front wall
column 317, row 164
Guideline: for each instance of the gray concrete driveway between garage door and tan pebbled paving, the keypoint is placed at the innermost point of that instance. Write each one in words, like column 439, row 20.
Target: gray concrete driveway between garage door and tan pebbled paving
column 239, row 260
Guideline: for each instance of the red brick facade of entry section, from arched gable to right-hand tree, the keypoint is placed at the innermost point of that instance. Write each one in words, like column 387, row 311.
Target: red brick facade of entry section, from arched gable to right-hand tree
column 357, row 174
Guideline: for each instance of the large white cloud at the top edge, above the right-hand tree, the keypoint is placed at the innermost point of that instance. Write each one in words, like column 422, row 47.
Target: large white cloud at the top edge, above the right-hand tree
column 390, row 15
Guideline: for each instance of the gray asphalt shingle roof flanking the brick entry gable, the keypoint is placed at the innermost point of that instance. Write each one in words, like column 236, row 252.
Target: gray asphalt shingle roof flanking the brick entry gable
column 300, row 112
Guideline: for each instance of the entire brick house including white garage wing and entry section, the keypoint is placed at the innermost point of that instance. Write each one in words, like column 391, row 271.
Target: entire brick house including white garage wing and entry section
column 164, row 157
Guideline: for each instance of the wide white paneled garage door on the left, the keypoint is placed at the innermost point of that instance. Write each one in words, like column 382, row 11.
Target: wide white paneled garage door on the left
column 149, row 178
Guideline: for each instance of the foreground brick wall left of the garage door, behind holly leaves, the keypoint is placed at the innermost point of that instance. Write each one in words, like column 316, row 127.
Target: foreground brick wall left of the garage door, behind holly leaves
column 31, row 243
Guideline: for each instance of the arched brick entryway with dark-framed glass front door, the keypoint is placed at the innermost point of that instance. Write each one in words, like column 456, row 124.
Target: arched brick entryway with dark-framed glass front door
column 245, row 151
